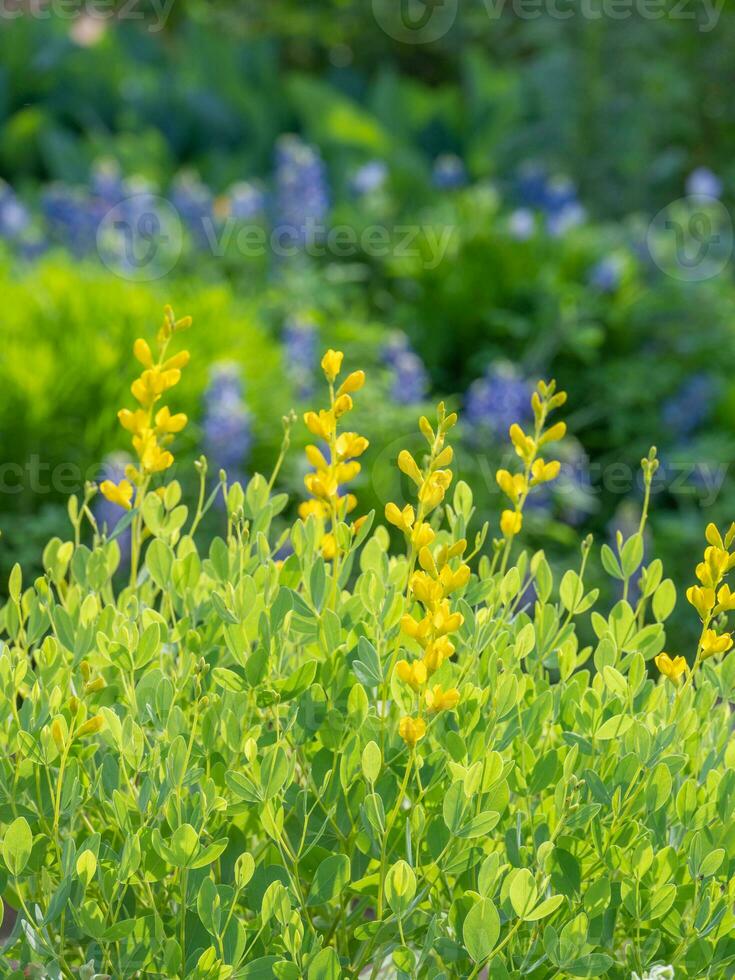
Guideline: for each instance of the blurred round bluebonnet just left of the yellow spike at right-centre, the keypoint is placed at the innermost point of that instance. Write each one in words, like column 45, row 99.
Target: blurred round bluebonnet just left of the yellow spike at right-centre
column 498, row 399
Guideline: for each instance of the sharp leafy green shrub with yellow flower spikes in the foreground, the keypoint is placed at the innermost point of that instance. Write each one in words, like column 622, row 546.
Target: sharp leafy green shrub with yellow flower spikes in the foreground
column 347, row 762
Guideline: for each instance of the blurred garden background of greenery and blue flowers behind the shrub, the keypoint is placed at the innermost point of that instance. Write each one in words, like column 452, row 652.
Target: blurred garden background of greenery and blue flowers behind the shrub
column 465, row 195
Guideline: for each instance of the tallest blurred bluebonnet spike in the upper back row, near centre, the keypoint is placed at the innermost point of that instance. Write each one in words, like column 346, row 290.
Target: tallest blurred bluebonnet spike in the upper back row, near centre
column 302, row 192
